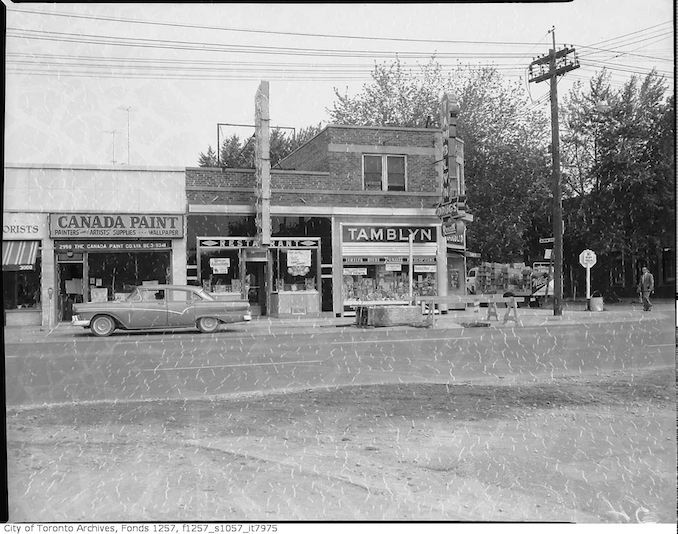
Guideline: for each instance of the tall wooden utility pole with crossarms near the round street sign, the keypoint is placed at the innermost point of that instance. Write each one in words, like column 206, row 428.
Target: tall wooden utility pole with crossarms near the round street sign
column 558, row 64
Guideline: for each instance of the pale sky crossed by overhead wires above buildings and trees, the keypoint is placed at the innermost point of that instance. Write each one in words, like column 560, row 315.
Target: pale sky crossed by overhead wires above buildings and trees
column 147, row 84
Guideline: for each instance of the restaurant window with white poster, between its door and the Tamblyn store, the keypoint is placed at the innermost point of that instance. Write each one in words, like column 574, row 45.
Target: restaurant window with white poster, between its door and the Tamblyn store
column 295, row 269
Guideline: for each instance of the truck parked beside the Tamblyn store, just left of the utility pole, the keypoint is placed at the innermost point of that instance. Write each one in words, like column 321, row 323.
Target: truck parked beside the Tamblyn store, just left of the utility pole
column 533, row 284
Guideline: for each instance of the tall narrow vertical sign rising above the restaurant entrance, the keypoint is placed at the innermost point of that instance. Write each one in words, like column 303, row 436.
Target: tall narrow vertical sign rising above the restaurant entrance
column 262, row 164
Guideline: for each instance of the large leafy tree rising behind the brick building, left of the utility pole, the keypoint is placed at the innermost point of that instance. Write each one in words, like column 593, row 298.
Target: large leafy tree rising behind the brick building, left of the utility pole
column 506, row 165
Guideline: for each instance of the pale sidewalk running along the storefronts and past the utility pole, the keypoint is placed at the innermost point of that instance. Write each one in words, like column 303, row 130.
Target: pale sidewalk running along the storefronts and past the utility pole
column 574, row 313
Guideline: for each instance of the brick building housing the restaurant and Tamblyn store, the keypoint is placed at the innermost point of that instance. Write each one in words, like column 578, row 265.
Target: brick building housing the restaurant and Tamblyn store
column 342, row 209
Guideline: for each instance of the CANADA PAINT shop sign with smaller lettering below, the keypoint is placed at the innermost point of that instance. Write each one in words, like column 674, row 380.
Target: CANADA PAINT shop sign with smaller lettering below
column 123, row 226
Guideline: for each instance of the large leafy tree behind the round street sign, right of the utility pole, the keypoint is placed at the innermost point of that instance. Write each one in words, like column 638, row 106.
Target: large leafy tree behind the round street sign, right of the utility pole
column 620, row 143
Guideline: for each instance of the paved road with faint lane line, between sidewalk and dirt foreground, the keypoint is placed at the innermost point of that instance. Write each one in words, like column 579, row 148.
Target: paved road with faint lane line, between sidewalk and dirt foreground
column 187, row 365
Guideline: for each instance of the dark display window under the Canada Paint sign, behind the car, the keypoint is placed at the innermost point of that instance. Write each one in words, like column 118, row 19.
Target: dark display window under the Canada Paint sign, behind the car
column 112, row 276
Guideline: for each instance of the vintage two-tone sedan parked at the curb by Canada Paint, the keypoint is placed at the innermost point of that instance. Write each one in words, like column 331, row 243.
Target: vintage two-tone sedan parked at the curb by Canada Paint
column 160, row 307
